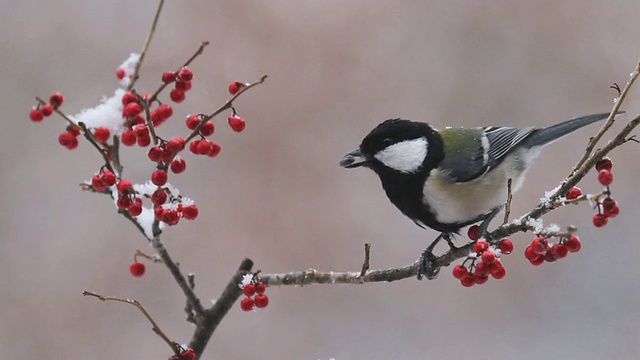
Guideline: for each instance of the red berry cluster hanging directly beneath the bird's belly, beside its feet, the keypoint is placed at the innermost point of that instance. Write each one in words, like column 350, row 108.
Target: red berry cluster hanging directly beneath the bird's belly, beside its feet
column 485, row 262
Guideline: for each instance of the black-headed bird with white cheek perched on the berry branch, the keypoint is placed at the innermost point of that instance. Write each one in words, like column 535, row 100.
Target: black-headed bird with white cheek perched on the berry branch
column 455, row 177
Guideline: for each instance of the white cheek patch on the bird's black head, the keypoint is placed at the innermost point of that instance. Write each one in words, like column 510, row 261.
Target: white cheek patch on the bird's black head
column 406, row 156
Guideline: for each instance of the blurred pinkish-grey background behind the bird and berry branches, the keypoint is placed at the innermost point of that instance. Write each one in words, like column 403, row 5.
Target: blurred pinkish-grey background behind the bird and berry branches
column 277, row 195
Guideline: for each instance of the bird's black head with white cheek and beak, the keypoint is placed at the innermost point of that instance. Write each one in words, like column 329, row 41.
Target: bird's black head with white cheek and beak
column 399, row 145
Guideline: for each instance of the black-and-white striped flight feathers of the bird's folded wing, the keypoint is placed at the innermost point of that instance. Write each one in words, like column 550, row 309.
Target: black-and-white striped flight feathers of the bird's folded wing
column 502, row 140
